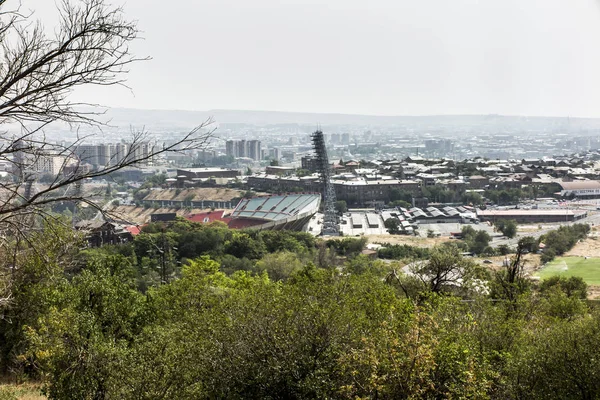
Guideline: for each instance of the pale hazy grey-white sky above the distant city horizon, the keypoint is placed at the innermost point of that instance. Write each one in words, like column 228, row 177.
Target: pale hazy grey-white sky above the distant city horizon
column 385, row 57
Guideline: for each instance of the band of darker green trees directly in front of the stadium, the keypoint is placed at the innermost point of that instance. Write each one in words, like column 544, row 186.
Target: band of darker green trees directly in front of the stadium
column 159, row 252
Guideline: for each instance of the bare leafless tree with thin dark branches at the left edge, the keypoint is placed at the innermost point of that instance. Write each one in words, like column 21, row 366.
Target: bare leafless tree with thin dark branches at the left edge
column 39, row 70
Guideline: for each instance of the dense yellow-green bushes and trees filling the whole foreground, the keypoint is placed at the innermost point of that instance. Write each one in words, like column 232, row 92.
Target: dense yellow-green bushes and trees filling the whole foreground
column 352, row 328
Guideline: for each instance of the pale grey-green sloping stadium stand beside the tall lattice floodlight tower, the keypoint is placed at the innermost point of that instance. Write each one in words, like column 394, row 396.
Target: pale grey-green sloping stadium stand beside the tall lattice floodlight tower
column 289, row 212
